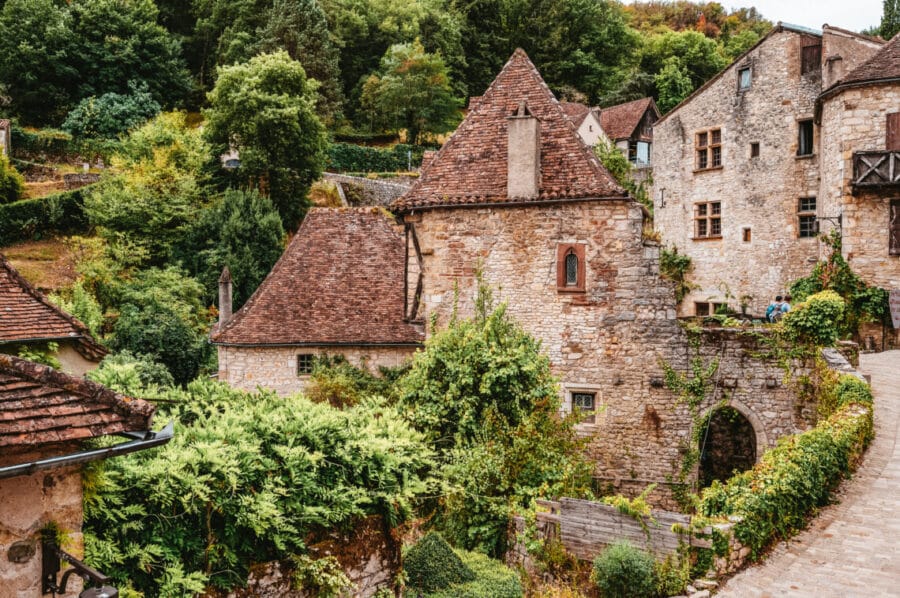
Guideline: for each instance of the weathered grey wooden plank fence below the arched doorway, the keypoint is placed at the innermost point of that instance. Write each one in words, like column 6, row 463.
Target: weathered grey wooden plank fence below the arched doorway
column 586, row 527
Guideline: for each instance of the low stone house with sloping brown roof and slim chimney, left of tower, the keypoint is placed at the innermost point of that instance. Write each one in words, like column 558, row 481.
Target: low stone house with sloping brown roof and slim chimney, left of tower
column 337, row 290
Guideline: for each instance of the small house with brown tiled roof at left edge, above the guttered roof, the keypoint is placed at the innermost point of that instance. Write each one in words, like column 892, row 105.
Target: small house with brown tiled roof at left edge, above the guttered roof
column 28, row 319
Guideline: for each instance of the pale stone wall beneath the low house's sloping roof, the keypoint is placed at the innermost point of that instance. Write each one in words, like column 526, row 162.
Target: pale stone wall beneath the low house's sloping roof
column 275, row 368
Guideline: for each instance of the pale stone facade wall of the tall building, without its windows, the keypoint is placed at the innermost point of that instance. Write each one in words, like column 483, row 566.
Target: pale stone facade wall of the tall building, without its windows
column 756, row 193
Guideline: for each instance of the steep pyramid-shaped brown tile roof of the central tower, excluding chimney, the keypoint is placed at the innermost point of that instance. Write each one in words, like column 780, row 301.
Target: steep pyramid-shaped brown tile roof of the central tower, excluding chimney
column 471, row 168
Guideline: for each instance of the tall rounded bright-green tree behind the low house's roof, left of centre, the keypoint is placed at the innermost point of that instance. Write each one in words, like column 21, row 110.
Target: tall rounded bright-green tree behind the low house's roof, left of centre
column 264, row 109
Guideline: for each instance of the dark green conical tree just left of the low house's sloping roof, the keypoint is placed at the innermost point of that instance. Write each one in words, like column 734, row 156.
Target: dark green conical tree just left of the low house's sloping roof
column 241, row 230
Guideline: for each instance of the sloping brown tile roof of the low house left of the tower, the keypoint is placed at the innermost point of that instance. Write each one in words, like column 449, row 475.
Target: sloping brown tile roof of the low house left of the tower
column 340, row 281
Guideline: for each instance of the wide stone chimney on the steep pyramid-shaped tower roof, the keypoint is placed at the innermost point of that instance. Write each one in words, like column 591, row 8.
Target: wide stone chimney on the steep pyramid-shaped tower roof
column 524, row 155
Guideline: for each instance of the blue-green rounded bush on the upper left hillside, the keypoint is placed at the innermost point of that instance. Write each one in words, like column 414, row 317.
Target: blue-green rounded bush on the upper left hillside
column 111, row 114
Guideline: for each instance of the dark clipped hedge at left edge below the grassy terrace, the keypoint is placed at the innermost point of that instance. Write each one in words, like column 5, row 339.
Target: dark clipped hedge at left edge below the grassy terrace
column 33, row 218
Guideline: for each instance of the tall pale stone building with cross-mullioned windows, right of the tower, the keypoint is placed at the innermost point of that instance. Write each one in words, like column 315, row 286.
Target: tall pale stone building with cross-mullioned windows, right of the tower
column 736, row 167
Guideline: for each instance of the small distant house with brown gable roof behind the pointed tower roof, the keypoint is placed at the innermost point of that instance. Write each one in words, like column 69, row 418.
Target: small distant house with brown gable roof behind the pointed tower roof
column 630, row 127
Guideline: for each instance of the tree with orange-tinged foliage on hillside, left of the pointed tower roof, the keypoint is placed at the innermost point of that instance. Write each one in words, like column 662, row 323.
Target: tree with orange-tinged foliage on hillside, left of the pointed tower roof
column 412, row 92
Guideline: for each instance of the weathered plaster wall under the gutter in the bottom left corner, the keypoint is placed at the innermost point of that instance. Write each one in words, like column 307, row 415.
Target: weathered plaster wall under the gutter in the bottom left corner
column 27, row 504
